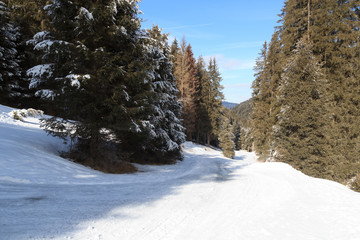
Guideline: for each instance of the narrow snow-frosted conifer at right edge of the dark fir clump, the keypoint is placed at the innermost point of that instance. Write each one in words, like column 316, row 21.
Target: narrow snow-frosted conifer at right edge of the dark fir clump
column 166, row 131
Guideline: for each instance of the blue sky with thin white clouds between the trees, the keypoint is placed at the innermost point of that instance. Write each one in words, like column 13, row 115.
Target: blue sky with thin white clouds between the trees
column 233, row 31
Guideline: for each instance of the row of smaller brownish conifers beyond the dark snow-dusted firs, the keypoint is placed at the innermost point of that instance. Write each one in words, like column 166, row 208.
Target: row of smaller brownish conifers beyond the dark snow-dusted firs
column 205, row 119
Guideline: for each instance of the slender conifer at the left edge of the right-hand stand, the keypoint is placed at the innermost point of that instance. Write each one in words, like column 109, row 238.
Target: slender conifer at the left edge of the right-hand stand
column 265, row 103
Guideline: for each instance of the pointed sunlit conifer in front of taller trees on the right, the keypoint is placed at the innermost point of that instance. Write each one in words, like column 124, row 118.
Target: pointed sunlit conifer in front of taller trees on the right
column 301, row 129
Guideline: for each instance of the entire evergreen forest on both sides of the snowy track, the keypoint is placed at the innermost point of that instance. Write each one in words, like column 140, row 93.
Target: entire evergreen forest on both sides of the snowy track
column 120, row 94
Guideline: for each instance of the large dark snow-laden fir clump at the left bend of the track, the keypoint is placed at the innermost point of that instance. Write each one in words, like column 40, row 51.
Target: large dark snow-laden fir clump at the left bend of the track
column 111, row 78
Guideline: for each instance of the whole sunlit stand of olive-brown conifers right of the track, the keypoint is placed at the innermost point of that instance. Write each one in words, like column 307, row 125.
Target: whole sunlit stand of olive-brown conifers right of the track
column 306, row 92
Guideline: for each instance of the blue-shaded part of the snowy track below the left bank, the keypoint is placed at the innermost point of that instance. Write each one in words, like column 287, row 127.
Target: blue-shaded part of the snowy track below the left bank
column 39, row 210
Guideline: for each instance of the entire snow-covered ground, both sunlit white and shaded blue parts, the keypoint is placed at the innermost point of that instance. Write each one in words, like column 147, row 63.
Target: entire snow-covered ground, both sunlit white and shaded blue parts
column 206, row 196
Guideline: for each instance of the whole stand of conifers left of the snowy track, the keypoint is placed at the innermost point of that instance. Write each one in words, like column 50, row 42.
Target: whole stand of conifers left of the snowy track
column 119, row 92
